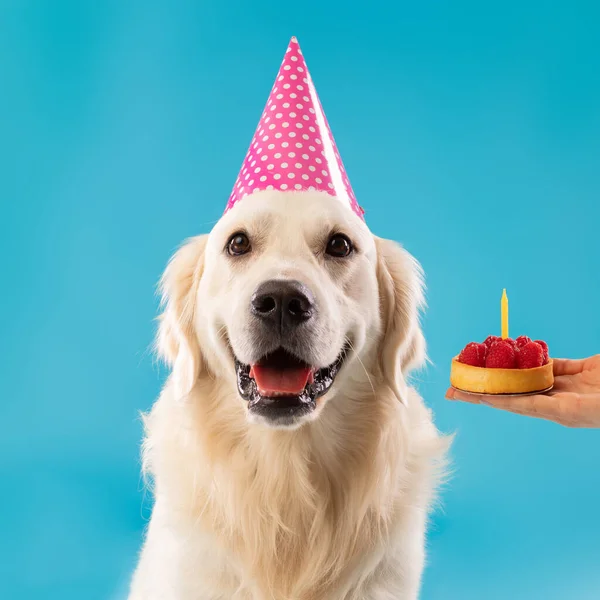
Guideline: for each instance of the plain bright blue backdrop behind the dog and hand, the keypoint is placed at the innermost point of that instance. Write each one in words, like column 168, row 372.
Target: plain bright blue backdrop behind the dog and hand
column 471, row 133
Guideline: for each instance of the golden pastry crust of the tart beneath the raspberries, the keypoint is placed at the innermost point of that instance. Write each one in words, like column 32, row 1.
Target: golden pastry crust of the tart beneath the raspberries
column 500, row 381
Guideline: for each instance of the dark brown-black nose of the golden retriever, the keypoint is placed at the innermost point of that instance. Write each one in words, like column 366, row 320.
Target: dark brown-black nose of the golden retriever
column 283, row 303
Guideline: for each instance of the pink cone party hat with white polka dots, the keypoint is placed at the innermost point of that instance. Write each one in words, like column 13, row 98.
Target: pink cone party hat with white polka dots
column 293, row 148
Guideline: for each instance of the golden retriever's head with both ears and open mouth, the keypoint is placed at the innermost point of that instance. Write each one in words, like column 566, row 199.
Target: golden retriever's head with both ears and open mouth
column 288, row 299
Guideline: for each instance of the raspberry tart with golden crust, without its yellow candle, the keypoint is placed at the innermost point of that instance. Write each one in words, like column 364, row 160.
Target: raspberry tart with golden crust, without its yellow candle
column 503, row 366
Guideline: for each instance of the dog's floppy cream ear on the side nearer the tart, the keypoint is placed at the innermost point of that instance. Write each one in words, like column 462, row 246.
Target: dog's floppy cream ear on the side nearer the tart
column 402, row 347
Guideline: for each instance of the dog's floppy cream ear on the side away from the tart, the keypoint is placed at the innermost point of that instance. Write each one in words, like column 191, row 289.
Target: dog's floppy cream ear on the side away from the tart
column 176, row 340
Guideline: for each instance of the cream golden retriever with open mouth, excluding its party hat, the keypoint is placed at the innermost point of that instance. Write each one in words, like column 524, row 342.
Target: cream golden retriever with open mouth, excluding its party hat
column 290, row 458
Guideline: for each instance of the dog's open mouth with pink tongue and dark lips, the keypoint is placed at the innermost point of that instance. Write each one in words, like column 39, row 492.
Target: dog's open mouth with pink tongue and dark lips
column 282, row 387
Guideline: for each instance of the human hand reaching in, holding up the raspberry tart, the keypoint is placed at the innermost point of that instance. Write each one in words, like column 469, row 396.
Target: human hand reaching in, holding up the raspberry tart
column 574, row 401
